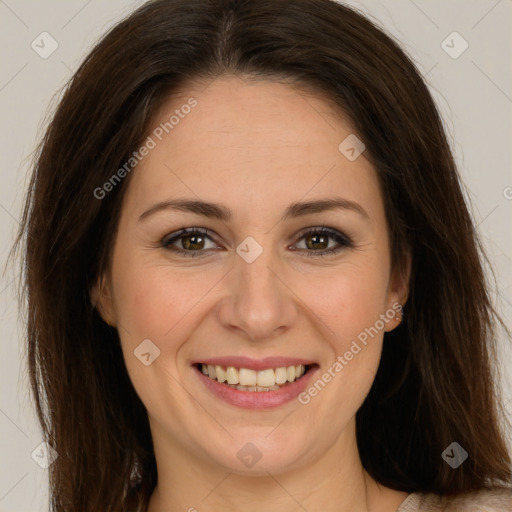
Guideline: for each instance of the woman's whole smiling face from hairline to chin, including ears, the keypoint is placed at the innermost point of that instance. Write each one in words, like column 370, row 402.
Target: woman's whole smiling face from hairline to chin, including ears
column 258, row 291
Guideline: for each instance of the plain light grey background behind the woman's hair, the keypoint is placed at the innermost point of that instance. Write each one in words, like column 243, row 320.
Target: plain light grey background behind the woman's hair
column 473, row 92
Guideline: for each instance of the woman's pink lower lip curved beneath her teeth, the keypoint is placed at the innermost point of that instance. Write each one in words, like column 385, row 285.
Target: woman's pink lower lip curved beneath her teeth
column 257, row 399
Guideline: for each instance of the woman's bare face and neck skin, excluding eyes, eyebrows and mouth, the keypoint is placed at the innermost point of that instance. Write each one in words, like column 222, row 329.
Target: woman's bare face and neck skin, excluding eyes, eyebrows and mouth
column 256, row 147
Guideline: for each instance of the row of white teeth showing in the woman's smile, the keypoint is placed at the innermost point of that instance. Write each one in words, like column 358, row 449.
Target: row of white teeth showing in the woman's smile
column 251, row 380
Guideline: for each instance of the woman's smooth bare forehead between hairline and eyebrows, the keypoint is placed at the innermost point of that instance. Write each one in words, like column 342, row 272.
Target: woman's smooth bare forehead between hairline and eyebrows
column 254, row 142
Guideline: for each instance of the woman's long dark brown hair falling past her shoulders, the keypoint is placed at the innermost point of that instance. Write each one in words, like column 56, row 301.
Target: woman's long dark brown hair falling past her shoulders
column 435, row 383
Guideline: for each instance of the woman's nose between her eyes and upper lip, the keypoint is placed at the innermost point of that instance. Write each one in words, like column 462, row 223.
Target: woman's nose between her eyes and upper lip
column 259, row 303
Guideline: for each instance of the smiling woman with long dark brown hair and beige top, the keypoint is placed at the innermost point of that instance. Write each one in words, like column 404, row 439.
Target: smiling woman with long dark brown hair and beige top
column 253, row 282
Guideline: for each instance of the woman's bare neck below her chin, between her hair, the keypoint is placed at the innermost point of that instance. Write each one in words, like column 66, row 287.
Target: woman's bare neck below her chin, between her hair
column 333, row 482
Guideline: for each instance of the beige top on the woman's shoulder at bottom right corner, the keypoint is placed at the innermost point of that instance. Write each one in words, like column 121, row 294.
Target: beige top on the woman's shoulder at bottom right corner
column 495, row 500
